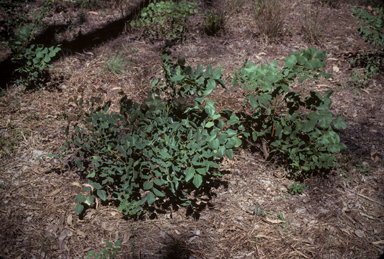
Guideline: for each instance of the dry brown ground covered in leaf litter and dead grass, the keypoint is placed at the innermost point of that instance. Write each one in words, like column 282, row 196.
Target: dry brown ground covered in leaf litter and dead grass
column 339, row 215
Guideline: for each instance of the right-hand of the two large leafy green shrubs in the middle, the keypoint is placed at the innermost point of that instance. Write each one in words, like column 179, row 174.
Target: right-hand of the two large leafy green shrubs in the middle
column 301, row 129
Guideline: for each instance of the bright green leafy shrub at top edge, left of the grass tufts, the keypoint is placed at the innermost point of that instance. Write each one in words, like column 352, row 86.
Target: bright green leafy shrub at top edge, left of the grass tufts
column 164, row 20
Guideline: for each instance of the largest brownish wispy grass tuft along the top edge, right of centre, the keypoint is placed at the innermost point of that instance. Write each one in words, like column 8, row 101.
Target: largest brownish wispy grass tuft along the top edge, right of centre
column 269, row 16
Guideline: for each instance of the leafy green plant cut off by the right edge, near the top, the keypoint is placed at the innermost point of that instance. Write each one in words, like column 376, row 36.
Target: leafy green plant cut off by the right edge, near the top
column 371, row 29
